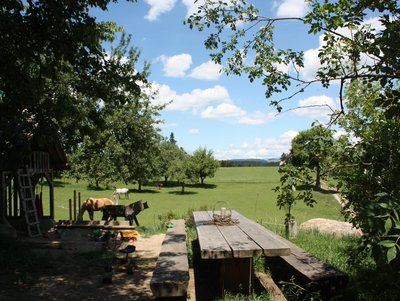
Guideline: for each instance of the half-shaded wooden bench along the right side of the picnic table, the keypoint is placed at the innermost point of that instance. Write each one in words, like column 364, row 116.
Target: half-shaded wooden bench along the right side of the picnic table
column 308, row 270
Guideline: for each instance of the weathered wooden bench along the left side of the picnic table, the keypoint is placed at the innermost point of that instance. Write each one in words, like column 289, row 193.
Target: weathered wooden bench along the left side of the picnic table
column 171, row 274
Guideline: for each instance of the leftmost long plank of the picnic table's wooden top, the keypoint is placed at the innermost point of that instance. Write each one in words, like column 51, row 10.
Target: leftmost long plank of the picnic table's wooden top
column 212, row 244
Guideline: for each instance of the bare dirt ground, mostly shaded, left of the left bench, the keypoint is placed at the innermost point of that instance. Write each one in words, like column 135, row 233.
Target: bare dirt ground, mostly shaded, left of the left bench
column 79, row 277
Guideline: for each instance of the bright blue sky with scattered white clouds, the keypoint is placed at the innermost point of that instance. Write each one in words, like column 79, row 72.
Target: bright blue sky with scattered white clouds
column 226, row 114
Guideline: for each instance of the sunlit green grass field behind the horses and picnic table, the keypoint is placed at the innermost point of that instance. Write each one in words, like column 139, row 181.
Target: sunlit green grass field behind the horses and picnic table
column 244, row 189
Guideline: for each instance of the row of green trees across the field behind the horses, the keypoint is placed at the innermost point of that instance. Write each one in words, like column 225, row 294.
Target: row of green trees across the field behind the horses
column 105, row 161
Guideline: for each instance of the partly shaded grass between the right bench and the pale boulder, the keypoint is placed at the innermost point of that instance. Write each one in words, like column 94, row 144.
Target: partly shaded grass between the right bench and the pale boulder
column 366, row 281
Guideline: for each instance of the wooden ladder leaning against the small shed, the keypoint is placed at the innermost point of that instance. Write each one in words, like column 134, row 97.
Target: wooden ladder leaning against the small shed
column 28, row 204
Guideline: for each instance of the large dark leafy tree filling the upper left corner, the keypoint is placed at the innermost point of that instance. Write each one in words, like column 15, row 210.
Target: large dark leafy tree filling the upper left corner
column 54, row 72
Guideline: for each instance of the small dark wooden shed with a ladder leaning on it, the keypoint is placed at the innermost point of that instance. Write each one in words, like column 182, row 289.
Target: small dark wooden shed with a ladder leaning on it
column 26, row 162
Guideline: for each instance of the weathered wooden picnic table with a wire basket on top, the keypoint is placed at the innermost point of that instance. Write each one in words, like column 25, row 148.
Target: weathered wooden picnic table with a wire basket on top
column 234, row 246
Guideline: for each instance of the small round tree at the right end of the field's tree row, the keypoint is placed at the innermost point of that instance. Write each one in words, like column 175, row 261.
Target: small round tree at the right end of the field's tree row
column 204, row 164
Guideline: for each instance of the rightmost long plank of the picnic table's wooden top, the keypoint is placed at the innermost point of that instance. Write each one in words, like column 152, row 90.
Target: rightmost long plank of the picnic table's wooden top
column 270, row 243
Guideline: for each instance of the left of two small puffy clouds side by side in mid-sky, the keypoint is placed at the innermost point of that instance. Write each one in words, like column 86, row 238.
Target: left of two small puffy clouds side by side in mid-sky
column 175, row 66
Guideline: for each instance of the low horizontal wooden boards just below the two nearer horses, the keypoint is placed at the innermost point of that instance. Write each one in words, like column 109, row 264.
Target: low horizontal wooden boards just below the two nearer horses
column 111, row 225
